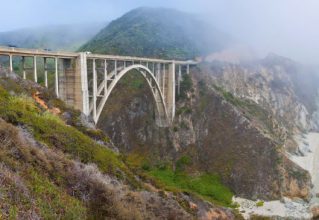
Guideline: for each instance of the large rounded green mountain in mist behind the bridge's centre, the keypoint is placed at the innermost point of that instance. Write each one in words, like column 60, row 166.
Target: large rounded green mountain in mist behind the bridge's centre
column 158, row 32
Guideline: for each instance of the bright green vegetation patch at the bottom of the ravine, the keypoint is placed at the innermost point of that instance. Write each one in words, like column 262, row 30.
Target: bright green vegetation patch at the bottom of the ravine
column 207, row 186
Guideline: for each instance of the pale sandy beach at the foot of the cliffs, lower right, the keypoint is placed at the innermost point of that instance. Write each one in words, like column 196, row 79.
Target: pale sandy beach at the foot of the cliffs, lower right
column 308, row 158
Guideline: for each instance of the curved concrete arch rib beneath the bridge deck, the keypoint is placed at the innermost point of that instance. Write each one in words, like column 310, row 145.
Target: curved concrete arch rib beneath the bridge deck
column 162, row 118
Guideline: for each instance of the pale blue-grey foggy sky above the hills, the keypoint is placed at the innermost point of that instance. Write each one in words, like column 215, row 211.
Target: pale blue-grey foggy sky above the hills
column 286, row 27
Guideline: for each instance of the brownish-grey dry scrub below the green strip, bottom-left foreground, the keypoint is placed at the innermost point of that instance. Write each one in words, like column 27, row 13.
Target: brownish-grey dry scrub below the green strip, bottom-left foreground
column 23, row 163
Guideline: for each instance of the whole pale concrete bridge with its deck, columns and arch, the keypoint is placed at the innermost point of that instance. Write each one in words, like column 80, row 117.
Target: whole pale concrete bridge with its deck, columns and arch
column 85, row 80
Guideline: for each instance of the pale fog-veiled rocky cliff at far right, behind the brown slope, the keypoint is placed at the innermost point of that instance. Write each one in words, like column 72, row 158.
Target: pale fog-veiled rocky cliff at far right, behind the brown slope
column 285, row 89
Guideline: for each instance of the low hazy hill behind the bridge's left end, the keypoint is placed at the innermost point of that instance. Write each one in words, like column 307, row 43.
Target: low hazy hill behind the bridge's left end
column 55, row 37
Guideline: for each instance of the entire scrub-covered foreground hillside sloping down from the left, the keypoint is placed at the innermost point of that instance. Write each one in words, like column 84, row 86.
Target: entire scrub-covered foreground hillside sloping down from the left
column 54, row 164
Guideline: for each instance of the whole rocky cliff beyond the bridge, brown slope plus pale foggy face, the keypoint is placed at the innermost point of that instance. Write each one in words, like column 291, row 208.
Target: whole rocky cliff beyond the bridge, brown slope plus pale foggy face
column 233, row 120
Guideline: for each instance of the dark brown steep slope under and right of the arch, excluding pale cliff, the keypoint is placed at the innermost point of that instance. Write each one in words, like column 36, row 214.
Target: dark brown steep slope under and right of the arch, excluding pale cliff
column 213, row 132
